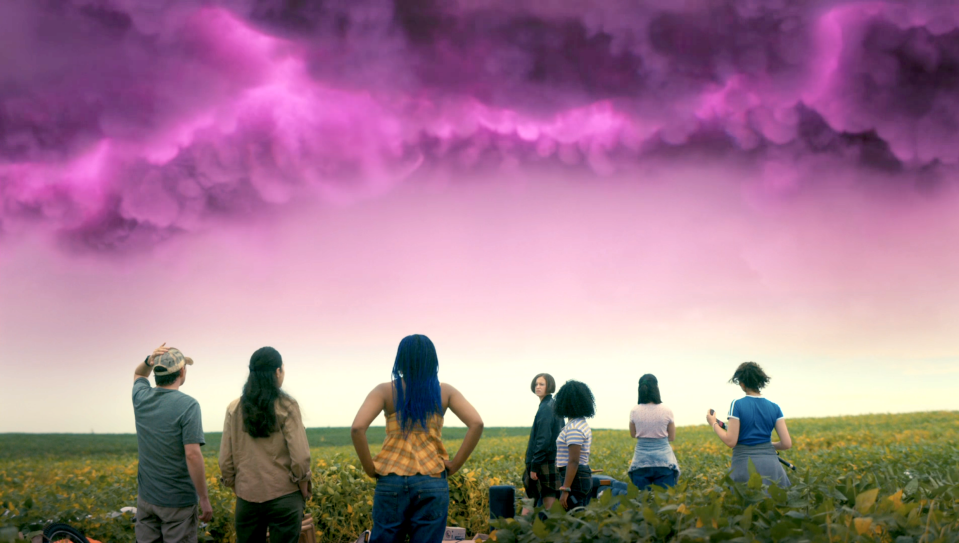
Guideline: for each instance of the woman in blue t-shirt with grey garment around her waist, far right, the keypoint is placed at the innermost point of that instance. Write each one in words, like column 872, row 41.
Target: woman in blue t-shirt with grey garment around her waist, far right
column 749, row 429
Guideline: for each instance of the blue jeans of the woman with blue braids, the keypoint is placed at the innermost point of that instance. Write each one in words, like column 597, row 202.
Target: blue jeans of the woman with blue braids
column 415, row 505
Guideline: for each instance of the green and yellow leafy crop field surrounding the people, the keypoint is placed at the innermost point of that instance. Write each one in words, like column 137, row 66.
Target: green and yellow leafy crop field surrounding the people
column 877, row 478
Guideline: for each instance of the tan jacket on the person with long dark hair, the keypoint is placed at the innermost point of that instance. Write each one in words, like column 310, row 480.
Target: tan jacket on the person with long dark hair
column 261, row 469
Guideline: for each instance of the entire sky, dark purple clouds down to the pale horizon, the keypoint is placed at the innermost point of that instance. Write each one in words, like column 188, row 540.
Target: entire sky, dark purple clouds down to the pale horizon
column 597, row 190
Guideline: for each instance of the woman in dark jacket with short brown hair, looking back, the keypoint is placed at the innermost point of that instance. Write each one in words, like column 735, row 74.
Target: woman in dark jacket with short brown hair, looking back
column 540, row 477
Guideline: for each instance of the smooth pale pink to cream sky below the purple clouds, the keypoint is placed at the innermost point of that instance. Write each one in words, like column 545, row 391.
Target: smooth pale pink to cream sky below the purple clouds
column 848, row 297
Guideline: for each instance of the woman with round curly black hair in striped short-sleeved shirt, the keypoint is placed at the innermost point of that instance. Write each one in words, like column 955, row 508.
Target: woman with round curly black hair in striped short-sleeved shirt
column 574, row 402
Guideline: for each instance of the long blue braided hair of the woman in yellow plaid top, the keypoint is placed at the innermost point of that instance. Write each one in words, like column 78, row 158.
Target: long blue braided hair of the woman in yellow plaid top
column 417, row 365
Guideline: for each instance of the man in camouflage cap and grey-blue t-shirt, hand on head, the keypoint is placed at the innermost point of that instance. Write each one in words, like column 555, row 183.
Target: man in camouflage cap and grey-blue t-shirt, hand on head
column 171, row 475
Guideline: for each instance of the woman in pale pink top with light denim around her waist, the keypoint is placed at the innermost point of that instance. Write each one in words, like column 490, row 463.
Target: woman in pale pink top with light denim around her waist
column 653, row 426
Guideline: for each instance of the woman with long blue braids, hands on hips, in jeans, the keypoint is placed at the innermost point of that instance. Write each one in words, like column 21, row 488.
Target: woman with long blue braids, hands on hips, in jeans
column 412, row 492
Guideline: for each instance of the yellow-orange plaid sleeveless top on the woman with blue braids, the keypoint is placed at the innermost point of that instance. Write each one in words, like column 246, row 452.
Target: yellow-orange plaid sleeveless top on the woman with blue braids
column 419, row 453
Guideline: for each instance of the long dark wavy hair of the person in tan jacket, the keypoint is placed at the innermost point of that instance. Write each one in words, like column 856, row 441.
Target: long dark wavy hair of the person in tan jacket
column 261, row 392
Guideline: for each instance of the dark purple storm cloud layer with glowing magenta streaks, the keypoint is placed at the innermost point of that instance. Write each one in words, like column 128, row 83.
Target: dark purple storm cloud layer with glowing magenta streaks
column 124, row 123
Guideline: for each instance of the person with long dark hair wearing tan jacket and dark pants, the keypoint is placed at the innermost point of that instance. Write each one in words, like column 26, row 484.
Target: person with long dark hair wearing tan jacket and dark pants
column 264, row 455
